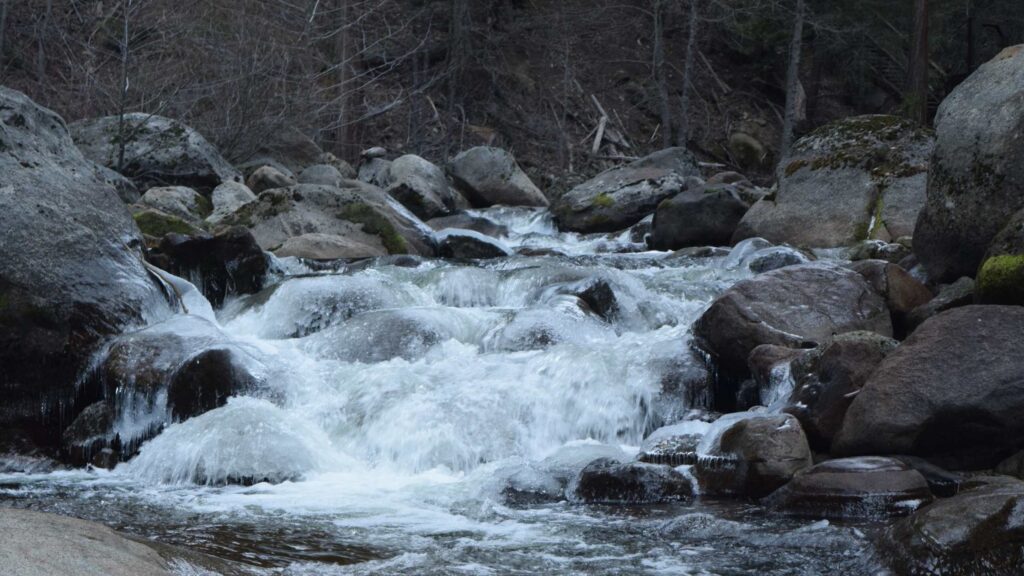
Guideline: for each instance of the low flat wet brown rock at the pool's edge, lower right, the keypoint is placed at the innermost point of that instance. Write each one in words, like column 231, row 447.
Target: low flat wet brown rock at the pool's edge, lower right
column 869, row 487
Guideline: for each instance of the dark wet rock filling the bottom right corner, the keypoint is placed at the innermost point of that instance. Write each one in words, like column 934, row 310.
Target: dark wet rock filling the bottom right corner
column 978, row 531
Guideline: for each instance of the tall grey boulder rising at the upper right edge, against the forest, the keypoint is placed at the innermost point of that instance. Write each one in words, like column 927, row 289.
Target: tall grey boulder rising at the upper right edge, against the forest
column 976, row 181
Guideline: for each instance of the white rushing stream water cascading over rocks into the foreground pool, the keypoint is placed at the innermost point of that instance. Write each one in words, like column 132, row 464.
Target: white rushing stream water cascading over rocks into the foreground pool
column 401, row 403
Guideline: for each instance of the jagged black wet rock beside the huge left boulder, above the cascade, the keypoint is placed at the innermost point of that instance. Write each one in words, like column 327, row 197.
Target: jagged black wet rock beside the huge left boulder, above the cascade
column 230, row 263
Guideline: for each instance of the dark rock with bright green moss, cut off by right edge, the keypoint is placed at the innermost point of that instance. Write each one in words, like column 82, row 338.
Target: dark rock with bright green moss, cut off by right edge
column 1001, row 278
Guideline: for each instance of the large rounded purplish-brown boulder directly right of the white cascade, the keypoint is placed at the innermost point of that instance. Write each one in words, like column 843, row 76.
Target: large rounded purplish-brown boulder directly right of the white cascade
column 799, row 307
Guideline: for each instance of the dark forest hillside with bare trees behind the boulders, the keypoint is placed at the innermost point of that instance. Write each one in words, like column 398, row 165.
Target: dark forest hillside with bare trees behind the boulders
column 539, row 77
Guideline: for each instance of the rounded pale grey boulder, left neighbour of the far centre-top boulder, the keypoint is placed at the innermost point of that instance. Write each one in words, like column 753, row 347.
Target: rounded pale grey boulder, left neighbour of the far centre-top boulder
column 422, row 188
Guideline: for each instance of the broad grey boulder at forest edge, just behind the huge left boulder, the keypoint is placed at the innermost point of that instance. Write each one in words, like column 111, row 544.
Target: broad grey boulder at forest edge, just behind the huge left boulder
column 158, row 151
